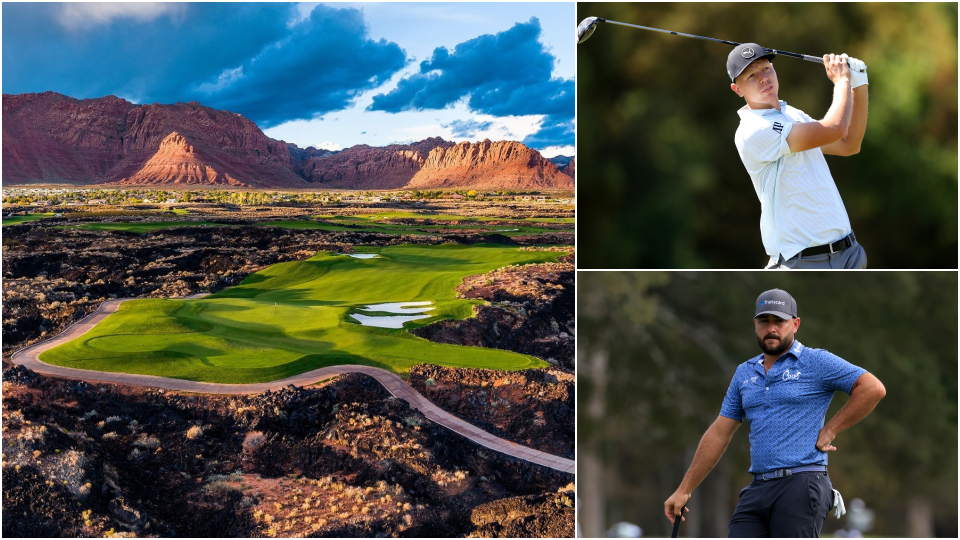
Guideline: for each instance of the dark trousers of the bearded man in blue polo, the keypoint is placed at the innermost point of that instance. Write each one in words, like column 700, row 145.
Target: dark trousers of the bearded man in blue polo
column 790, row 507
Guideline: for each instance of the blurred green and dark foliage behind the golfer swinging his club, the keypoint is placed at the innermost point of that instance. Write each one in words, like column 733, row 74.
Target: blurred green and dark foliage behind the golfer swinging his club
column 661, row 183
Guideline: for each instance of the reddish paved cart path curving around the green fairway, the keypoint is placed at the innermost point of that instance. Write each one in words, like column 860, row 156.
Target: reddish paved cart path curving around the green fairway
column 29, row 357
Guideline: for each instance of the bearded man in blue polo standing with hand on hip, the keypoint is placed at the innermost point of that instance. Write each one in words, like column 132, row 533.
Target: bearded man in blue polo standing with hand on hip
column 784, row 393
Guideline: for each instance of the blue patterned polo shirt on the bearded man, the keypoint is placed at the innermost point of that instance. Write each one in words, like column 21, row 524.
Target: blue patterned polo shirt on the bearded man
column 787, row 405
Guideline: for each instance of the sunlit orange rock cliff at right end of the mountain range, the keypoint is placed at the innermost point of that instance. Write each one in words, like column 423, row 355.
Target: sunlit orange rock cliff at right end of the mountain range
column 489, row 165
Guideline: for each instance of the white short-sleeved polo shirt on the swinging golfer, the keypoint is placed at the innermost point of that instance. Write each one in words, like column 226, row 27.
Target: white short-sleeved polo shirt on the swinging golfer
column 800, row 206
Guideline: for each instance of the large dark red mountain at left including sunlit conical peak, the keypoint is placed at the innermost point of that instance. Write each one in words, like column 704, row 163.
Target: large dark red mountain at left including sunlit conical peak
column 52, row 138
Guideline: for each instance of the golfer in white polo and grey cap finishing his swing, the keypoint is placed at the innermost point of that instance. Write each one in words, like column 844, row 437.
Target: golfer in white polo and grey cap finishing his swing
column 803, row 223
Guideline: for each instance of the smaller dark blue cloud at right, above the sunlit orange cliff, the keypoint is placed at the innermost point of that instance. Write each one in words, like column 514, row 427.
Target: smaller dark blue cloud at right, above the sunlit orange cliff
column 502, row 75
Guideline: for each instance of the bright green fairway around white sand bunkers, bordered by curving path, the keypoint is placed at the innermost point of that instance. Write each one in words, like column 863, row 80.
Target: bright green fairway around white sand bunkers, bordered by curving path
column 293, row 317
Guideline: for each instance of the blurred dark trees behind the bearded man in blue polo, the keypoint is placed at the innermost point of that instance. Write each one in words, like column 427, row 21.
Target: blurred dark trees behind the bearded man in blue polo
column 656, row 352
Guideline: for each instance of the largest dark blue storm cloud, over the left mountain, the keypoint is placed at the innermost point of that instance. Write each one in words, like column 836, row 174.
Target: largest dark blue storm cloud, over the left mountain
column 246, row 58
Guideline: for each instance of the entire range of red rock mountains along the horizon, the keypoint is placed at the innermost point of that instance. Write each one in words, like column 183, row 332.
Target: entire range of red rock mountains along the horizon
column 55, row 139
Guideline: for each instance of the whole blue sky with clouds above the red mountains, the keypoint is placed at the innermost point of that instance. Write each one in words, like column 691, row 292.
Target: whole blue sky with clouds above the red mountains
column 330, row 75
